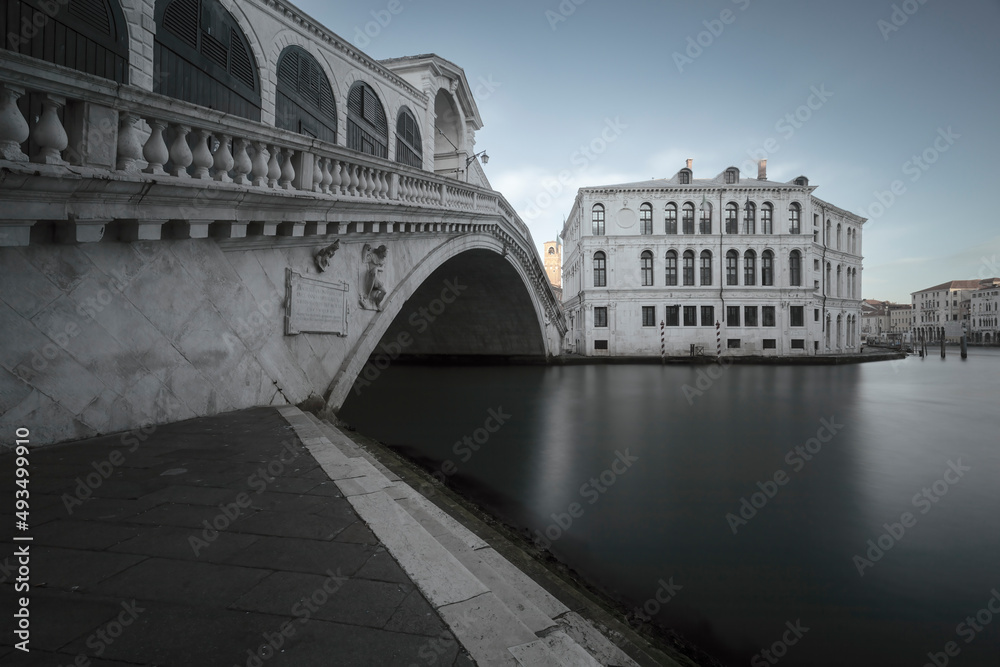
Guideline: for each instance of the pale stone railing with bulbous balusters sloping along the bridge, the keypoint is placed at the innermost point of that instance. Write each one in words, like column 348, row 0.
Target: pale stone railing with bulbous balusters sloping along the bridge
column 87, row 127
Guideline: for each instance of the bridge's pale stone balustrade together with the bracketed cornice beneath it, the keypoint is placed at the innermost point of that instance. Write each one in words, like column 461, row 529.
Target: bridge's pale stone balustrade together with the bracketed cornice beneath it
column 111, row 145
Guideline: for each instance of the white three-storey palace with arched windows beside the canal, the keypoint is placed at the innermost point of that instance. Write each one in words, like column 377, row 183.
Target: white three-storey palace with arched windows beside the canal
column 658, row 266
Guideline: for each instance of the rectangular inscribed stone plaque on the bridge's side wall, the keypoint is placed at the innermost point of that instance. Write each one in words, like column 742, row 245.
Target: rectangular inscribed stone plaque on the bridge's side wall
column 314, row 306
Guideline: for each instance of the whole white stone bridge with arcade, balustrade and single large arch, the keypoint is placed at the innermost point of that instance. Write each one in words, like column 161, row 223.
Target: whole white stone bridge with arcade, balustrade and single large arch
column 169, row 251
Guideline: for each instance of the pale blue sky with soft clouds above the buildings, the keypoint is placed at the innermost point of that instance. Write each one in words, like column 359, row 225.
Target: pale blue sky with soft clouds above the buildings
column 889, row 107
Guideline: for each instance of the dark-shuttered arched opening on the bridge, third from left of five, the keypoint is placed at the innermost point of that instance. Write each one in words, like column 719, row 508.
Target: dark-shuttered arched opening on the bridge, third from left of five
column 304, row 101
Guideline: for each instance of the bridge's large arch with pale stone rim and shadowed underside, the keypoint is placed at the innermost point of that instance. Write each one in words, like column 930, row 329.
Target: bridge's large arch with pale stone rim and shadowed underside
column 400, row 313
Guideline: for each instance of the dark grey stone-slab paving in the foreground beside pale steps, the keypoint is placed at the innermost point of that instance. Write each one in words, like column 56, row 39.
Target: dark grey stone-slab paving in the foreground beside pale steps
column 211, row 541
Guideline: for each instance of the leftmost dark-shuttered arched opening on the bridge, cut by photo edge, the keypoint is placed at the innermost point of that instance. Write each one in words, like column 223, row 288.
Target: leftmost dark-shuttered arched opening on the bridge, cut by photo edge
column 86, row 35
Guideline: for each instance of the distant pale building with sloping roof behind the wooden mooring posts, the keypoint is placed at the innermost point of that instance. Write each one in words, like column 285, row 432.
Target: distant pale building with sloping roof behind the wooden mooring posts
column 943, row 310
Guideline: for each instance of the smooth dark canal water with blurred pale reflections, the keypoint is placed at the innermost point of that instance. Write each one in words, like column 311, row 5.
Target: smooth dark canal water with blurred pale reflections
column 830, row 515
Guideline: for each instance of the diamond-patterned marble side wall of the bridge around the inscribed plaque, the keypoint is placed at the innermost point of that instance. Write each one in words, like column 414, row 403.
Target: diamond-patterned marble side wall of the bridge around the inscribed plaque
column 105, row 337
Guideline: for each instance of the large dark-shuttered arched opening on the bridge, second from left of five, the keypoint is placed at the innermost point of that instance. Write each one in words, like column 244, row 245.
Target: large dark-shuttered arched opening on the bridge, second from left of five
column 201, row 56
